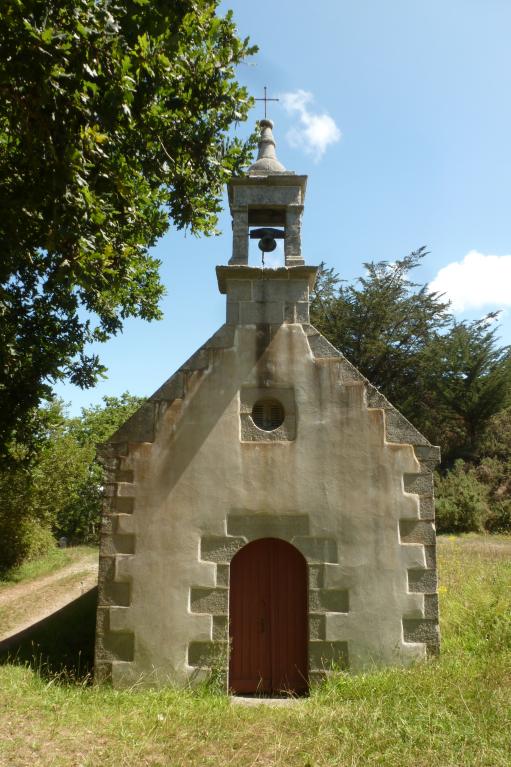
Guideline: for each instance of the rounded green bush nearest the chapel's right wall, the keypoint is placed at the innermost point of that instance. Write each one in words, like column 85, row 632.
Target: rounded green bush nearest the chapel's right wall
column 461, row 500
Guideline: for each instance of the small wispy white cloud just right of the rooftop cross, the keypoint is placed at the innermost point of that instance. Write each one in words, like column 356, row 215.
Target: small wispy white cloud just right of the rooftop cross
column 317, row 131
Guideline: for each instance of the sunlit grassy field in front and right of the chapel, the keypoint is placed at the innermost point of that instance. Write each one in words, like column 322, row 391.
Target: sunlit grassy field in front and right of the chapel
column 451, row 712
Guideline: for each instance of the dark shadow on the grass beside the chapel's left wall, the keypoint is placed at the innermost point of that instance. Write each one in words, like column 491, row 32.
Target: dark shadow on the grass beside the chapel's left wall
column 61, row 644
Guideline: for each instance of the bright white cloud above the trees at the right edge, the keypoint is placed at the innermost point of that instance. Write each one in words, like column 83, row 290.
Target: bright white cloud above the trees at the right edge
column 479, row 280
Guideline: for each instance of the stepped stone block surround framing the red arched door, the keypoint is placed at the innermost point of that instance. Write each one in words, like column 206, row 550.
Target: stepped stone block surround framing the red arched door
column 321, row 555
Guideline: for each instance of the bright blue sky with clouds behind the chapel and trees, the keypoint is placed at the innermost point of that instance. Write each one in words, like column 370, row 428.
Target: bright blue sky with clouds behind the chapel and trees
column 400, row 114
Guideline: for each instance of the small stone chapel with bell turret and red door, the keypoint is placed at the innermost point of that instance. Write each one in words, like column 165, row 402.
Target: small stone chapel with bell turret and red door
column 268, row 514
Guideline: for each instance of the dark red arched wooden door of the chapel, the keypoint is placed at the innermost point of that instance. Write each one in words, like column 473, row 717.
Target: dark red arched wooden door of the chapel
column 268, row 619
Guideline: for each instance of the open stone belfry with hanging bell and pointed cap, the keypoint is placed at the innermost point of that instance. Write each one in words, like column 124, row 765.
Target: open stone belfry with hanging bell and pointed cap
column 267, row 204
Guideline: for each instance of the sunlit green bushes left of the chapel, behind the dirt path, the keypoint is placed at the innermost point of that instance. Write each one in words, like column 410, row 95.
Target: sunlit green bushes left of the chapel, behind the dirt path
column 59, row 491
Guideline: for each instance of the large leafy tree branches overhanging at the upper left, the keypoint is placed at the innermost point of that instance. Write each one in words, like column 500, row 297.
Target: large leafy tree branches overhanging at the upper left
column 114, row 122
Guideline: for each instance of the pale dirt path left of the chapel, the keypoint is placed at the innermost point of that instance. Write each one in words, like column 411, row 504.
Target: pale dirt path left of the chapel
column 23, row 604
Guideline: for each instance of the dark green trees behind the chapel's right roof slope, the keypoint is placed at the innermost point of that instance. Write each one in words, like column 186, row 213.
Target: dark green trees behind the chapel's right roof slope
column 448, row 378
